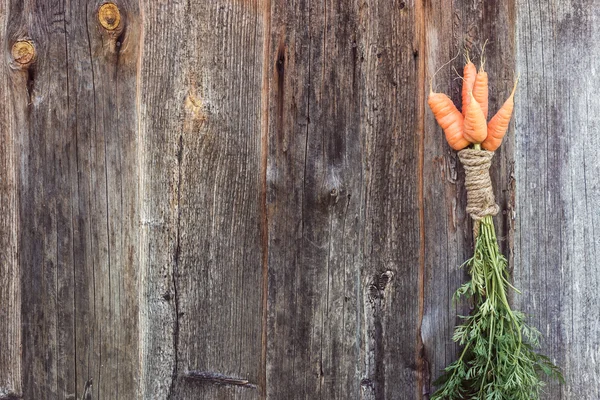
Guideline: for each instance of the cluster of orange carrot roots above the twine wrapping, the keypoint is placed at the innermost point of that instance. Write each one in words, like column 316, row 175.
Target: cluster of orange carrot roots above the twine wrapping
column 462, row 129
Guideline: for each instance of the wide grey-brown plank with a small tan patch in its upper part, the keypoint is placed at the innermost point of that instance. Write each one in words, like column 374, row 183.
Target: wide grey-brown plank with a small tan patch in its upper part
column 202, row 281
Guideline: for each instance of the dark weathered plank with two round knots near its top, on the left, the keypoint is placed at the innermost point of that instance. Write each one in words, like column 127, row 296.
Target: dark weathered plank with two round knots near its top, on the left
column 74, row 109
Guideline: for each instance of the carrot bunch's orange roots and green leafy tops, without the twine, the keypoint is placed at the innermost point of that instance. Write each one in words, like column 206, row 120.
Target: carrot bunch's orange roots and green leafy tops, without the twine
column 499, row 360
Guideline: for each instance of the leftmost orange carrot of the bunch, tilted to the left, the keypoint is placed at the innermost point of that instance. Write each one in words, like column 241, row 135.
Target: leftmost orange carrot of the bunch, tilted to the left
column 449, row 118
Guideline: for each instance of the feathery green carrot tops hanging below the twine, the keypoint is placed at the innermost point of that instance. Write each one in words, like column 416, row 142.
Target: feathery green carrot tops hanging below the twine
column 499, row 360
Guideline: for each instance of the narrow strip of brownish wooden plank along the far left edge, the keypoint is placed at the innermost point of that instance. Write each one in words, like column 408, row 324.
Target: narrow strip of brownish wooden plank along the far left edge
column 10, row 290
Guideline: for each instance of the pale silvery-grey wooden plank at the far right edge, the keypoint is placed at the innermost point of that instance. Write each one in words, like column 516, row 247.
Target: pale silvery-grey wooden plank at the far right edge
column 558, row 188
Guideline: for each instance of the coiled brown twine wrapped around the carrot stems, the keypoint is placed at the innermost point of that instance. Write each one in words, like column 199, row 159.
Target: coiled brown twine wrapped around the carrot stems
column 480, row 195
